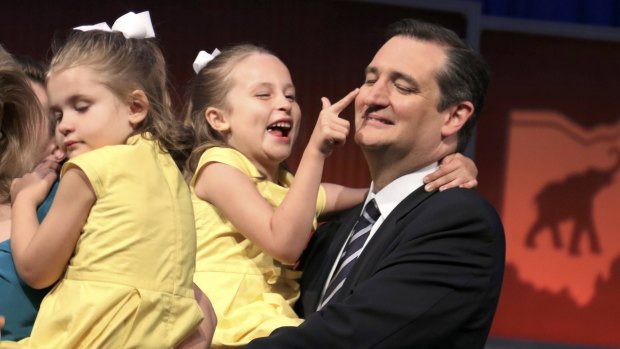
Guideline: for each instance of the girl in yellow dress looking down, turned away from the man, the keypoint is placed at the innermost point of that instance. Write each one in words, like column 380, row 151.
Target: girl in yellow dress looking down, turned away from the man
column 120, row 233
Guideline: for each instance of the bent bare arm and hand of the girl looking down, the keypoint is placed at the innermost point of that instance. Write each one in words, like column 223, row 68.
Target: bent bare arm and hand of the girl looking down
column 41, row 252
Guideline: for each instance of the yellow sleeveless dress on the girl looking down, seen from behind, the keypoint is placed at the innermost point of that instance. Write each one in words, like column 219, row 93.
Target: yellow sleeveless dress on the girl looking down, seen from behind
column 129, row 282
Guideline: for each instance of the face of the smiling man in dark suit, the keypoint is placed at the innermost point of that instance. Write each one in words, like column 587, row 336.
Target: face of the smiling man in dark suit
column 396, row 109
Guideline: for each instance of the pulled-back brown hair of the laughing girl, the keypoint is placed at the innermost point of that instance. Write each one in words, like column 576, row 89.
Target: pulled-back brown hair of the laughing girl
column 209, row 89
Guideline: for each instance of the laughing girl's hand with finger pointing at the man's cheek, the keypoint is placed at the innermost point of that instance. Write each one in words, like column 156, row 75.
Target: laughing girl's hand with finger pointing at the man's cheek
column 330, row 129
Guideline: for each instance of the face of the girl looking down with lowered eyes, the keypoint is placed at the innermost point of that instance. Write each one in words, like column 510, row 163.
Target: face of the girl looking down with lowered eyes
column 88, row 115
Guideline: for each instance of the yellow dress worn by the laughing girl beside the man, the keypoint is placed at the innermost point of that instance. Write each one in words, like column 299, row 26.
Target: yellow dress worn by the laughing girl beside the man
column 252, row 294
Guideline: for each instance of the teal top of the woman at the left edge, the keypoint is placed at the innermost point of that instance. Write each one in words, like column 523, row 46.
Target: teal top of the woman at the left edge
column 19, row 303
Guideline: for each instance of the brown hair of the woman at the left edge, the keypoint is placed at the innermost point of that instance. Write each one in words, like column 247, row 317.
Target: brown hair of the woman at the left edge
column 21, row 118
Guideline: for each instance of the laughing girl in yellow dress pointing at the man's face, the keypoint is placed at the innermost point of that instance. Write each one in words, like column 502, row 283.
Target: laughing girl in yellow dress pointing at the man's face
column 253, row 220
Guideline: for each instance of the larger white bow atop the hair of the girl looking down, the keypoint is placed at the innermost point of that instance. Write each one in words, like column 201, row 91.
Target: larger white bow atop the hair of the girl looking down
column 134, row 26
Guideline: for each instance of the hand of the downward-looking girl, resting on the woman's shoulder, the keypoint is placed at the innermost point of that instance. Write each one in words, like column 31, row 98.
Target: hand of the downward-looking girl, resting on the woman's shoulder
column 35, row 185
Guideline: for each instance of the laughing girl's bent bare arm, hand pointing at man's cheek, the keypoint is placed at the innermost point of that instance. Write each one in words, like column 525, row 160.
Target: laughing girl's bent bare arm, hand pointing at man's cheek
column 283, row 231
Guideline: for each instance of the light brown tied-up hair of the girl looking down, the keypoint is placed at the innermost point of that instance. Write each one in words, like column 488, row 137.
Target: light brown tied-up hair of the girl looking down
column 126, row 65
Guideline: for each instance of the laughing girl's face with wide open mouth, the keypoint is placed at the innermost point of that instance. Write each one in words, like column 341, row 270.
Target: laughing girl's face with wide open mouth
column 263, row 114
